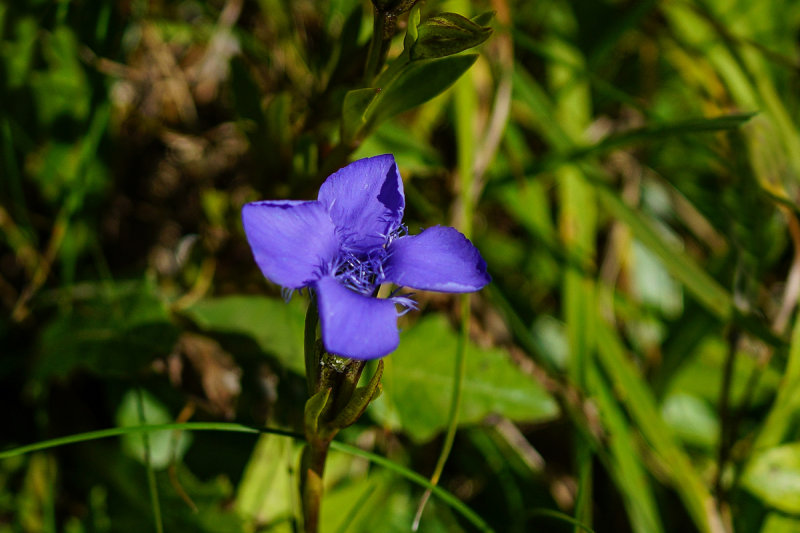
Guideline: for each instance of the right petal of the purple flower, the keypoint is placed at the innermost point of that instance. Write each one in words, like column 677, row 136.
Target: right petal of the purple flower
column 438, row 259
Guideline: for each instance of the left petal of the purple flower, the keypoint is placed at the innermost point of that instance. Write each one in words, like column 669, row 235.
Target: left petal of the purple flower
column 292, row 242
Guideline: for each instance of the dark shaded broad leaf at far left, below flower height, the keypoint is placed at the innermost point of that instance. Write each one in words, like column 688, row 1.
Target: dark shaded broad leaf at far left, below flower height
column 114, row 332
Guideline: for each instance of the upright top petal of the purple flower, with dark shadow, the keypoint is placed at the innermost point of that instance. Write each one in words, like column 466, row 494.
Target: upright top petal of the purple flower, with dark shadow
column 365, row 200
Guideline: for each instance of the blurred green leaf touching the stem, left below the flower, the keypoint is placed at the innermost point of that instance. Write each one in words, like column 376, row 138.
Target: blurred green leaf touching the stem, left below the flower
column 276, row 326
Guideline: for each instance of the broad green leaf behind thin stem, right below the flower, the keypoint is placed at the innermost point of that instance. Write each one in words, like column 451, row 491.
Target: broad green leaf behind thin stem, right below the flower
column 419, row 375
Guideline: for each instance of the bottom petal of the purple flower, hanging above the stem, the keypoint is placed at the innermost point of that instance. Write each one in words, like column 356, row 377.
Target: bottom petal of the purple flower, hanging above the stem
column 354, row 325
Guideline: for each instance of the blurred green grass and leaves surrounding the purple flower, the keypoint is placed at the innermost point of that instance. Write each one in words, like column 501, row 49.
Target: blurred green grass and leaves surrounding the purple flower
column 629, row 170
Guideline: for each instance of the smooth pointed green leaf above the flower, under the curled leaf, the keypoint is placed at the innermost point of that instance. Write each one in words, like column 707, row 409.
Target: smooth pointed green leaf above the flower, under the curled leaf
column 415, row 84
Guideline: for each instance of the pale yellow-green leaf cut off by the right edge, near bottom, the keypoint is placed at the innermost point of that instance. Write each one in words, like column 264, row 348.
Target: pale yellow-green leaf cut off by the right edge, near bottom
column 774, row 477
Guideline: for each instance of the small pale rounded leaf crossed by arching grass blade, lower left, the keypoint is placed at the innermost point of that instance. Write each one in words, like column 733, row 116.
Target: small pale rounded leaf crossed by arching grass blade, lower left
column 164, row 446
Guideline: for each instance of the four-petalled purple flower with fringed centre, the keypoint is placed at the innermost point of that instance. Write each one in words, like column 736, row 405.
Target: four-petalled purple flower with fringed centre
column 350, row 240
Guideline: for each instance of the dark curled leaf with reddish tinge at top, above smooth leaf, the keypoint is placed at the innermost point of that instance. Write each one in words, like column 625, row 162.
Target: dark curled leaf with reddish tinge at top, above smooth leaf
column 447, row 34
